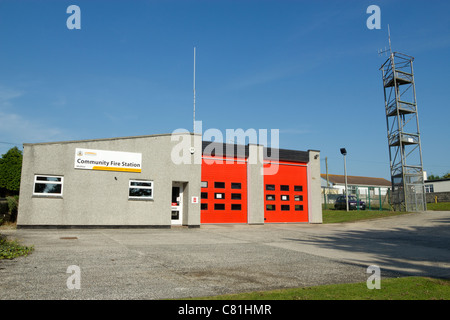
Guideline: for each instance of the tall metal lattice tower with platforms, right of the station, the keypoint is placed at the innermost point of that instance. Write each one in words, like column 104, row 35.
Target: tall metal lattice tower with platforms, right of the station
column 405, row 151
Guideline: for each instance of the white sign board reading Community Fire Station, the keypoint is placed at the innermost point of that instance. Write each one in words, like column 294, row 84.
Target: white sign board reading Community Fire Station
column 90, row 159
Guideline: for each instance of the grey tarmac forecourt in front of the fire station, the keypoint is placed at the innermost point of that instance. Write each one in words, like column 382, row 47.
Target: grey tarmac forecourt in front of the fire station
column 216, row 259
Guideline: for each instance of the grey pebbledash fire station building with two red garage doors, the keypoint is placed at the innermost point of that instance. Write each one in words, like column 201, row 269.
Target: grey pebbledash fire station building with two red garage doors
column 165, row 180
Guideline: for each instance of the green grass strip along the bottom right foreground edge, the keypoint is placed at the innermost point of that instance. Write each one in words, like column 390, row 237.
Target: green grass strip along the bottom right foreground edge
column 408, row 288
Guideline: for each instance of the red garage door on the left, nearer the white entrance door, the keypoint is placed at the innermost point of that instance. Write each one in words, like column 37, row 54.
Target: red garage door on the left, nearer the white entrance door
column 224, row 191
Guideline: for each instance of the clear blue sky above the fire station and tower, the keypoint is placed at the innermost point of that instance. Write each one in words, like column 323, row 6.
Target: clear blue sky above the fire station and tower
column 307, row 68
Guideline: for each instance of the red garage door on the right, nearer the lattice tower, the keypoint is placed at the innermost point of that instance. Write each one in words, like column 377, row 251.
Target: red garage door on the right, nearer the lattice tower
column 285, row 193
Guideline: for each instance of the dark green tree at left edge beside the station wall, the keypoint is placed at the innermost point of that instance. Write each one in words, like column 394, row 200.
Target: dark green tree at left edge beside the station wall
column 10, row 171
